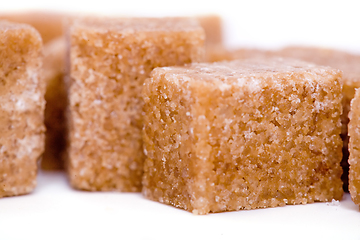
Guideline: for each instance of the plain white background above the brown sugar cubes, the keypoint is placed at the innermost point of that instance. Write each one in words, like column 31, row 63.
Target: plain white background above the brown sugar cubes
column 252, row 23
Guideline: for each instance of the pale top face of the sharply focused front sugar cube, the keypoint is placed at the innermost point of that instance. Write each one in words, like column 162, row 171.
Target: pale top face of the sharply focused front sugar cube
column 253, row 73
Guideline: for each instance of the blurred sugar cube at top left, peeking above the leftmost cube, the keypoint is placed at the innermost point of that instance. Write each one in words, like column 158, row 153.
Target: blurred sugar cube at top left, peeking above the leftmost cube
column 48, row 24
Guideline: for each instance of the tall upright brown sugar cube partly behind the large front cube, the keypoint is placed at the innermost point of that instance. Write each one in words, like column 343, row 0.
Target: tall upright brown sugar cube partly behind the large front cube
column 109, row 60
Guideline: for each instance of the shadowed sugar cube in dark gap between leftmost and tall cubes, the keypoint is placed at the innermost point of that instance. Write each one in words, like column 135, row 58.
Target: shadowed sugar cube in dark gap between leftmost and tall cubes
column 55, row 96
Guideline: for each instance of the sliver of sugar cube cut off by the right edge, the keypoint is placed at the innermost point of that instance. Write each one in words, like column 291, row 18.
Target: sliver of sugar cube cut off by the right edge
column 354, row 148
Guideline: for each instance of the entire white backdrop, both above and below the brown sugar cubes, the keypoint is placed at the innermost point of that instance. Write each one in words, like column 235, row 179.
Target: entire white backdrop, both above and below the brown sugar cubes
column 55, row 211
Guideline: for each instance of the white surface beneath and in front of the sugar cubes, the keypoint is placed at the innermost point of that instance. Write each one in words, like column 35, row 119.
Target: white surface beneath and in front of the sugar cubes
column 55, row 211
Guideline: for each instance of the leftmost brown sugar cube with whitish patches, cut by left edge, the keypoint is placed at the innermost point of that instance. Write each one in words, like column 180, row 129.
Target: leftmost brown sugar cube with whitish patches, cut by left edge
column 21, row 108
